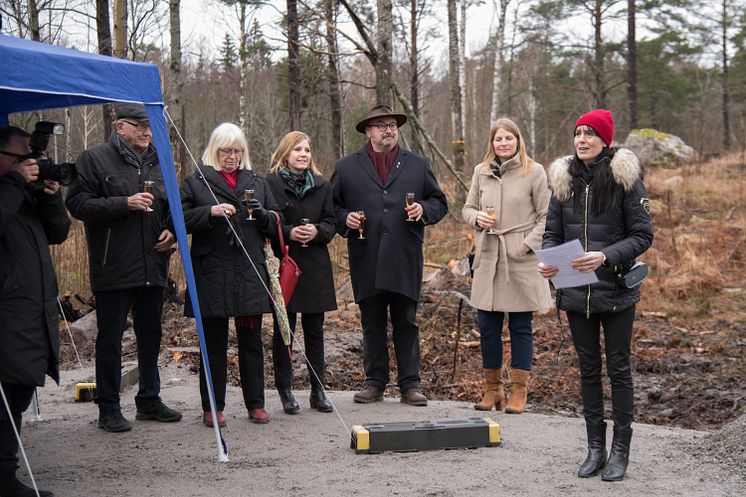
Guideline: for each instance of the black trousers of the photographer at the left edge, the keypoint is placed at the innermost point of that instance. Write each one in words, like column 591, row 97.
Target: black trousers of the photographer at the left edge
column 19, row 398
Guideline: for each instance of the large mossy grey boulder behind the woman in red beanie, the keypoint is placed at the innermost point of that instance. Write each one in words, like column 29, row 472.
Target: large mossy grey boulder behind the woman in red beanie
column 655, row 148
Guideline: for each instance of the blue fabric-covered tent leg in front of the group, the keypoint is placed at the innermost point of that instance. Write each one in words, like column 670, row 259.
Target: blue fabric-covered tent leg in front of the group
column 165, row 158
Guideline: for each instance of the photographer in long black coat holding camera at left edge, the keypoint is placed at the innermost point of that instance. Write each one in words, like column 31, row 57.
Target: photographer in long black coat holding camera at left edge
column 30, row 220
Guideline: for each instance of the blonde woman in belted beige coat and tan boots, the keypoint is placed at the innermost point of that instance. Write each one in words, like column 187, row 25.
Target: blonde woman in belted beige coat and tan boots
column 507, row 206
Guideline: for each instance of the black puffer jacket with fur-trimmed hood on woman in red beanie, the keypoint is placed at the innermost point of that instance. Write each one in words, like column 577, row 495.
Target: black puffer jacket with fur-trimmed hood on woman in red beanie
column 622, row 233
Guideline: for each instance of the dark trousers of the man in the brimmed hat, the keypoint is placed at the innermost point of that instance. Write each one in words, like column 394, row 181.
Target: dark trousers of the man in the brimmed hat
column 406, row 335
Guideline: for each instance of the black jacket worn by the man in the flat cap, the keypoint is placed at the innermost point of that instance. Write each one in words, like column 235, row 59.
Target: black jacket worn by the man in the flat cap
column 121, row 242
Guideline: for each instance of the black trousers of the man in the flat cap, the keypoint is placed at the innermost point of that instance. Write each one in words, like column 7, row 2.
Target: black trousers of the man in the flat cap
column 112, row 308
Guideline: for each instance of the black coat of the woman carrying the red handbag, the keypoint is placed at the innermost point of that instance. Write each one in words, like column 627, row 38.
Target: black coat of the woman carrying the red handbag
column 315, row 290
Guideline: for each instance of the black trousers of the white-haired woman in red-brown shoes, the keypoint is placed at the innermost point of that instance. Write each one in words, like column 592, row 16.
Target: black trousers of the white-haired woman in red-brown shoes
column 250, row 363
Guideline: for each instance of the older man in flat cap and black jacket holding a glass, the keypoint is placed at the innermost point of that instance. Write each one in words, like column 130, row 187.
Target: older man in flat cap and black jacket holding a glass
column 121, row 199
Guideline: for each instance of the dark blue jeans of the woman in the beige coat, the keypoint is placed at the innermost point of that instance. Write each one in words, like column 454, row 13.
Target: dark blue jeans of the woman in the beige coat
column 521, row 339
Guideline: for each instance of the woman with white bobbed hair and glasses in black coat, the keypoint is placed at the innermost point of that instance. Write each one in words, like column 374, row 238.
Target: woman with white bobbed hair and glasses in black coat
column 227, row 284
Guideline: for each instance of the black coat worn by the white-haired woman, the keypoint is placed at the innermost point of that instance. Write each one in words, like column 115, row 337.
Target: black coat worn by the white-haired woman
column 227, row 284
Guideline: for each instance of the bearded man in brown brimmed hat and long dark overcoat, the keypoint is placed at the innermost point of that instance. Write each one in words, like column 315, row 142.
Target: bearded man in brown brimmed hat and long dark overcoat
column 385, row 233
